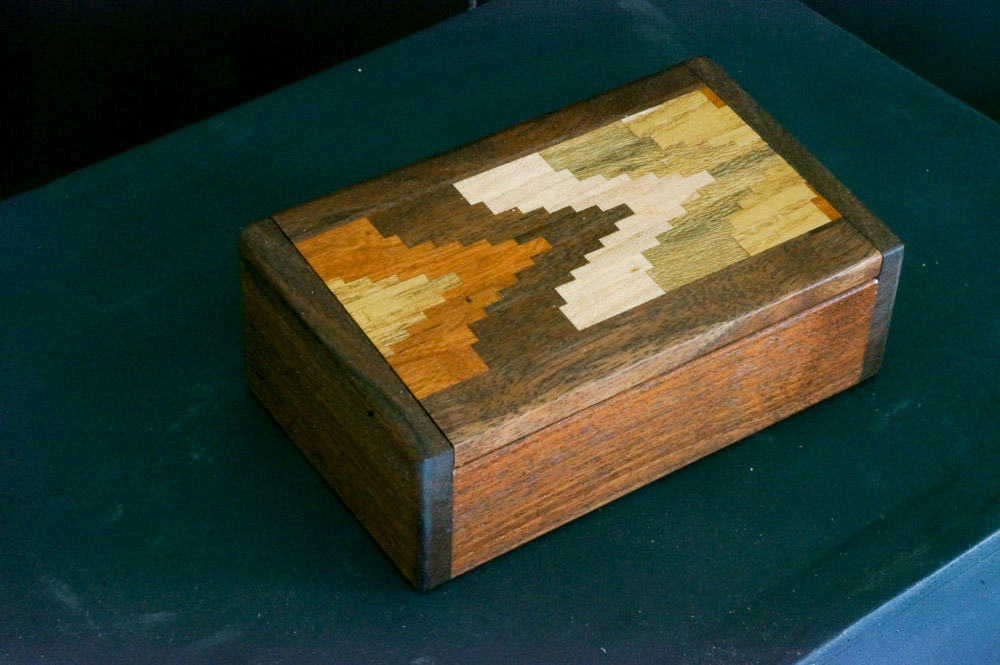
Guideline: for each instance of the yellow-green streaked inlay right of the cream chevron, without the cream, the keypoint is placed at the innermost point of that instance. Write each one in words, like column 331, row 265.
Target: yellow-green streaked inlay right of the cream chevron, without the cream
column 757, row 200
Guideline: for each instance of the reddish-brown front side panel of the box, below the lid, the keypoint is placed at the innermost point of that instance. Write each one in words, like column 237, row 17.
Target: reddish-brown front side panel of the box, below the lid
column 639, row 435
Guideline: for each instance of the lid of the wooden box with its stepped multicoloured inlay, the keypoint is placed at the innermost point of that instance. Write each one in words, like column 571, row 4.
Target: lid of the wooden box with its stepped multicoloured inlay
column 518, row 280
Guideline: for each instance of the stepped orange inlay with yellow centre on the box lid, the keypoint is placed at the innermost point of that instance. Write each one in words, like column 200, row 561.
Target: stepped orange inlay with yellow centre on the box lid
column 416, row 303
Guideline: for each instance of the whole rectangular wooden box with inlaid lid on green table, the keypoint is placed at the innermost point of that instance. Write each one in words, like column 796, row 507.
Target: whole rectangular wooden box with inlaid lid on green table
column 478, row 348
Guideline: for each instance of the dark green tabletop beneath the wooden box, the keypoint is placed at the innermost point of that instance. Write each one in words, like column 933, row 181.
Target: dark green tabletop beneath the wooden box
column 152, row 511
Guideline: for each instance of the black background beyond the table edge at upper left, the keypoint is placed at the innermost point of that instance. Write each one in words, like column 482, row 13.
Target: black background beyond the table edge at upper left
column 85, row 80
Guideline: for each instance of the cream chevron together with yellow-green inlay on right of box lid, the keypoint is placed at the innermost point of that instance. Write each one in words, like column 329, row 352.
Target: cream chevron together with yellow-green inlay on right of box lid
column 692, row 147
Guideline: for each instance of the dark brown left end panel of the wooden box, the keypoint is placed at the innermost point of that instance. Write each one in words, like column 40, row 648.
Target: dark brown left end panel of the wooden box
column 348, row 412
